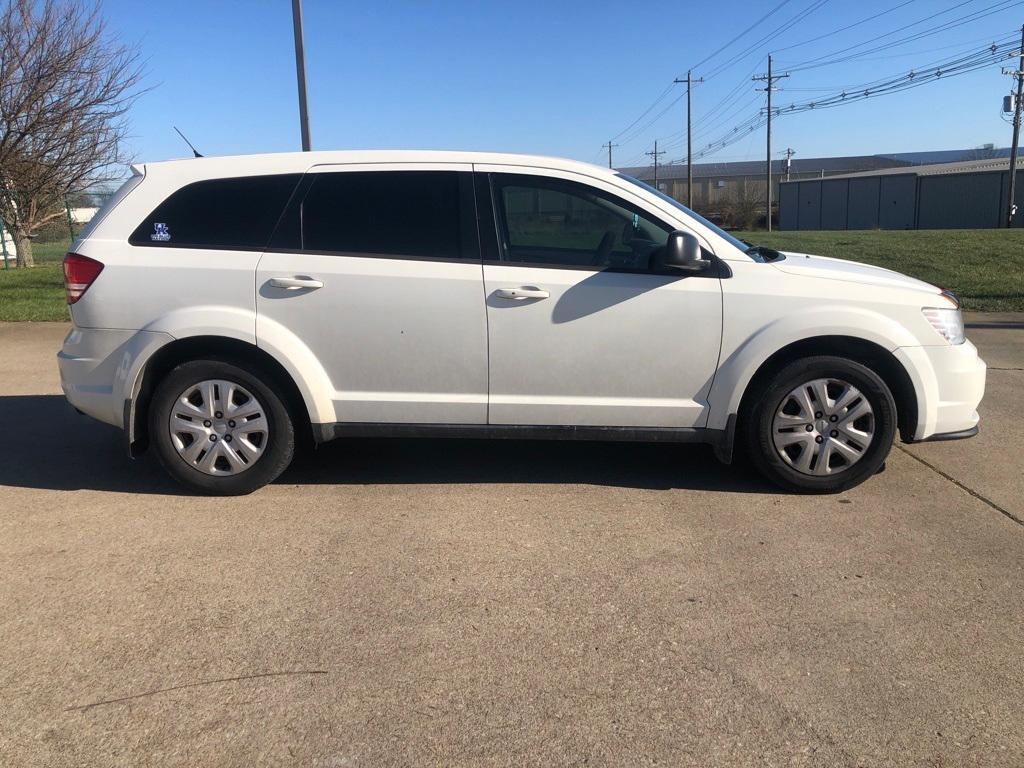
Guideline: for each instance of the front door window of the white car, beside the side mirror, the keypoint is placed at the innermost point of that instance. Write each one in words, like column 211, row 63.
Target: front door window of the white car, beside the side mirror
column 553, row 223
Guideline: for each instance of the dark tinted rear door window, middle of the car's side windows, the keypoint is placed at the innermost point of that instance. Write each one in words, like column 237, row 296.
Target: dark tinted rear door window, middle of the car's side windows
column 395, row 214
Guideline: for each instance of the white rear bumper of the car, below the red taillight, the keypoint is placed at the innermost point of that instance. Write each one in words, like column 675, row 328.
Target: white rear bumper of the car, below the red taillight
column 100, row 368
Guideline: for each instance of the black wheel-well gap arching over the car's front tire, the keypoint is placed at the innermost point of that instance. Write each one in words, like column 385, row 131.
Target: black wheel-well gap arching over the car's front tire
column 859, row 350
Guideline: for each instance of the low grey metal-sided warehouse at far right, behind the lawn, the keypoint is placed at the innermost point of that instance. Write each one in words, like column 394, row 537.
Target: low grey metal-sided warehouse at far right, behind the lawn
column 950, row 196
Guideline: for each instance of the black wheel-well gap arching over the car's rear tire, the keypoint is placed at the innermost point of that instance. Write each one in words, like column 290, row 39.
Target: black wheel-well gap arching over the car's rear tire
column 208, row 348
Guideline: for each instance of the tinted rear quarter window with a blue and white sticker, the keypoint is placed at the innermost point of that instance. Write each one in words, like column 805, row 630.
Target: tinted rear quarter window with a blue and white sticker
column 220, row 214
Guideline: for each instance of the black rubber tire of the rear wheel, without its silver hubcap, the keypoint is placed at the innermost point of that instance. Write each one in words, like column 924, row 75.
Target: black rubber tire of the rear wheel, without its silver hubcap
column 277, row 456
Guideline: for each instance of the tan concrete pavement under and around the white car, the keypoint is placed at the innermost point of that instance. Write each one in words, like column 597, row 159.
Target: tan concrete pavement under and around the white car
column 508, row 604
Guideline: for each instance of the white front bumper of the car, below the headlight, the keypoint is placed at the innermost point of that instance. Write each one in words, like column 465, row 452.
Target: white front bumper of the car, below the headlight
column 950, row 382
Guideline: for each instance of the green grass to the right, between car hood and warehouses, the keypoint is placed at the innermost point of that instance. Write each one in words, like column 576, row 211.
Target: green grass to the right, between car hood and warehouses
column 985, row 268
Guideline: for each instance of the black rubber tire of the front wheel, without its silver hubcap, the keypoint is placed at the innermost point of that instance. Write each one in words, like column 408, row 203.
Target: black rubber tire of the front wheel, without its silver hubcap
column 761, row 447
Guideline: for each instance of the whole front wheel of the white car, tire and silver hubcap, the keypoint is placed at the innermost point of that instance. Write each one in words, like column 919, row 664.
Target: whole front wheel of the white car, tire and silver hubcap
column 846, row 444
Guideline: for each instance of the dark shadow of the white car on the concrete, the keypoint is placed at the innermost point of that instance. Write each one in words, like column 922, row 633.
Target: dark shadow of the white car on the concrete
column 63, row 451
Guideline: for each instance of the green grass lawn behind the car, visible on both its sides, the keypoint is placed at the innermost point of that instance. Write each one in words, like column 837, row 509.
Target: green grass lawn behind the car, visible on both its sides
column 985, row 268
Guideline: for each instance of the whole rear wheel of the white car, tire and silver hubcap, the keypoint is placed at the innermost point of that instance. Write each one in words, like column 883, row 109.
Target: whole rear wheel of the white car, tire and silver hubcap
column 204, row 448
